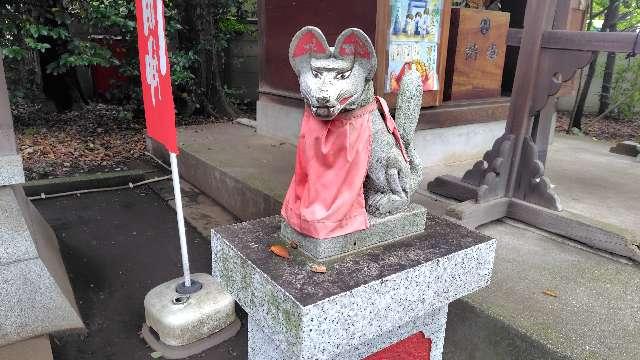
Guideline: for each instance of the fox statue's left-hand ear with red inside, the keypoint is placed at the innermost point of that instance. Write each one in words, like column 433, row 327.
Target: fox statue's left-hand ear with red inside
column 308, row 42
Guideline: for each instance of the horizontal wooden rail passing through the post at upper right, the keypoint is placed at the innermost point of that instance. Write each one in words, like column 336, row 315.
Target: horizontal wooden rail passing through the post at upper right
column 621, row 42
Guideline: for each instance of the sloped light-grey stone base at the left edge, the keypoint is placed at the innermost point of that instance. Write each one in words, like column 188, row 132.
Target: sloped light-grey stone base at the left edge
column 35, row 294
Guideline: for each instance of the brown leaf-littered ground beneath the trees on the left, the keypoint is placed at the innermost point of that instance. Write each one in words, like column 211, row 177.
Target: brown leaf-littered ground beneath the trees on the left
column 98, row 138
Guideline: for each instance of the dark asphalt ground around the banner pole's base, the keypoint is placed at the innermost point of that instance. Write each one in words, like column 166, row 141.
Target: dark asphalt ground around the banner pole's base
column 116, row 246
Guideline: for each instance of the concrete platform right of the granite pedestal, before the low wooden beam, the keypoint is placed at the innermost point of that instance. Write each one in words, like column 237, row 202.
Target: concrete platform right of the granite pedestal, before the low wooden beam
column 594, row 316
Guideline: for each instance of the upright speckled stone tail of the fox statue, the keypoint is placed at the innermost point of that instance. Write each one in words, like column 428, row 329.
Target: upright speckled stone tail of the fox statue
column 407, row 112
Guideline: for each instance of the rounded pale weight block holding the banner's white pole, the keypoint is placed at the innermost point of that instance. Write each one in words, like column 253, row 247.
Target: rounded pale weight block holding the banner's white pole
column 180, row 325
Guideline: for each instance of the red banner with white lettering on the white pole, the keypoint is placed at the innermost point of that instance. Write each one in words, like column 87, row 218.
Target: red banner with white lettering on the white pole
column 154, row 73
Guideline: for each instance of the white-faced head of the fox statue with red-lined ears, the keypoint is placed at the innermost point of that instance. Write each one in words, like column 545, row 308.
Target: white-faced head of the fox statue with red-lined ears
column 333, row 79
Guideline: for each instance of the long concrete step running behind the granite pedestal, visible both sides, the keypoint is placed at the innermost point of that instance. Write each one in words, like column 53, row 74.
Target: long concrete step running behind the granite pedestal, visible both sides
column 593, row 314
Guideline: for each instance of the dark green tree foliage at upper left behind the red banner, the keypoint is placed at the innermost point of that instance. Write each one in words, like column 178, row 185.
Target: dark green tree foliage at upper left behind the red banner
column 194, row 27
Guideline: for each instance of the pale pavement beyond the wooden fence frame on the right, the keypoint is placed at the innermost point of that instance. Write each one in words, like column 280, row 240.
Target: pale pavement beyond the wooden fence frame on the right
column 589, row 179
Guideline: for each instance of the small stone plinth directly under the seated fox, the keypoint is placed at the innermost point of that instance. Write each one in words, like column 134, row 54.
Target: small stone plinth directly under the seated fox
column 407, row 222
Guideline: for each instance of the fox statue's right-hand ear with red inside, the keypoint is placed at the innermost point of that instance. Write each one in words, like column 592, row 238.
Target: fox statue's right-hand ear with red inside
column 354, row 43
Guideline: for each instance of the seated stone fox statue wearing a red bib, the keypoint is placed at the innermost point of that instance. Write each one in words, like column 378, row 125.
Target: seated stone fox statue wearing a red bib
column 352, row 158
